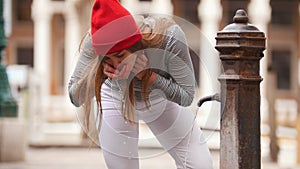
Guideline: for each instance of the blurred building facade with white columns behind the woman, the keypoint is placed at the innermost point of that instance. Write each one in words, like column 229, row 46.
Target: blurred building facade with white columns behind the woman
column 45, row 35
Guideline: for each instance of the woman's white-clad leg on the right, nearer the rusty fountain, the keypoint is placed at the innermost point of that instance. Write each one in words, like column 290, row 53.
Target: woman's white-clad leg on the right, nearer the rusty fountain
column 176, row 129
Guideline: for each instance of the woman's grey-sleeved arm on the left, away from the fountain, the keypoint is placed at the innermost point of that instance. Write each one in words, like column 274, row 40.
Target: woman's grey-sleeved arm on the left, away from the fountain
column 77, row 83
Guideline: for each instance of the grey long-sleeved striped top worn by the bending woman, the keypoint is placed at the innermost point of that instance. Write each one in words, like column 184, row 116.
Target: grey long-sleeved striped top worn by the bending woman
column 171, row 62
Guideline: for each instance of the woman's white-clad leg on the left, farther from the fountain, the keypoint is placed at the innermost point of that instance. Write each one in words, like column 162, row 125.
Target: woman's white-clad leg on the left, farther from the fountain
column 118, row 139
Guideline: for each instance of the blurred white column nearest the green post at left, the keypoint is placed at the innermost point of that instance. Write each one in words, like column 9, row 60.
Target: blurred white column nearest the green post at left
column 41, row 16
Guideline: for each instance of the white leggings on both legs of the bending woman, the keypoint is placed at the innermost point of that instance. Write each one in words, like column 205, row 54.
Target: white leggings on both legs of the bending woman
column 173, row 125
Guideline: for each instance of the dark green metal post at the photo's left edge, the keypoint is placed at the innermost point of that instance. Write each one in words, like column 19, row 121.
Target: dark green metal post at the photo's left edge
column 8, row 105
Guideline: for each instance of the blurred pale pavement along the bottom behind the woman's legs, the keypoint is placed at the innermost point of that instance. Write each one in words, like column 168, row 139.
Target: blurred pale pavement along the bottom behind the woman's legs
column 85, row 158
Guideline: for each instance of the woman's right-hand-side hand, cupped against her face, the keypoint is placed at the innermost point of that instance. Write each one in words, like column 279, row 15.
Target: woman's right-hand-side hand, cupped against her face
column 140, row 65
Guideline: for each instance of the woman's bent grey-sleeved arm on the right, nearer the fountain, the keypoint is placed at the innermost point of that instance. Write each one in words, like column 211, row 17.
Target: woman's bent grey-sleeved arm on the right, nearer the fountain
column 181, row 87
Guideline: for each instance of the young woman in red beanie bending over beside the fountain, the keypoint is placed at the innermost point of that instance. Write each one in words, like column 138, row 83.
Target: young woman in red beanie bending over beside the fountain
column 138, row 69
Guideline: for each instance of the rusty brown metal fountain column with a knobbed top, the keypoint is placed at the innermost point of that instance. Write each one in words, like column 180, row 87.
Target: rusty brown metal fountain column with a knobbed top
column 240, row 45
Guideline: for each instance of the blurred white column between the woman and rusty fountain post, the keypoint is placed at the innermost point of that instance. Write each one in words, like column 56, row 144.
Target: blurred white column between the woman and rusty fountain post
column 210, row 14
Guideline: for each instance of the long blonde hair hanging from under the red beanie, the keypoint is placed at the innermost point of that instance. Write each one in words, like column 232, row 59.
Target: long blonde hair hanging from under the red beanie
column 151, row 37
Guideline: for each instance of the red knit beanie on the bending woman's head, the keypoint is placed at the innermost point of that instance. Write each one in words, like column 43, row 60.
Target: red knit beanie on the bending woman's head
column 113, row 27
